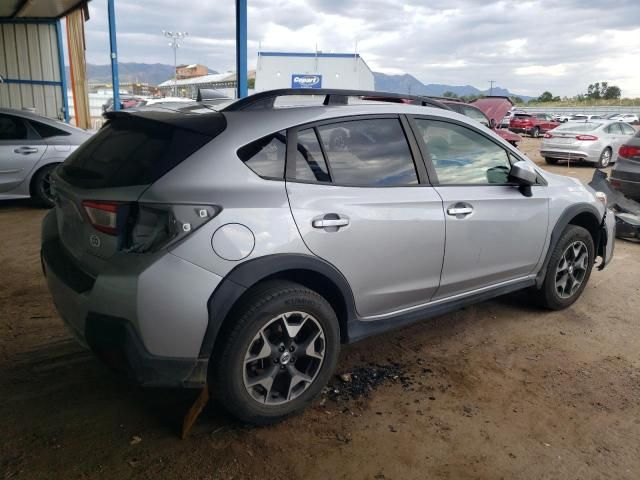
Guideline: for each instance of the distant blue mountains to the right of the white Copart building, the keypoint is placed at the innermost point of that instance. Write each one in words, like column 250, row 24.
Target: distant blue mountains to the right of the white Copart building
column 411, row 85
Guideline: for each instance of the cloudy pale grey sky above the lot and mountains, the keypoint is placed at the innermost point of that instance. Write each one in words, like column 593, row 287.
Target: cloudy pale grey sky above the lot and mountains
column 525, row 46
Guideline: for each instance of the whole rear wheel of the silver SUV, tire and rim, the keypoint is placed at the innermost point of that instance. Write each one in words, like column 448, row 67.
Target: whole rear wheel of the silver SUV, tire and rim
column 260, row 331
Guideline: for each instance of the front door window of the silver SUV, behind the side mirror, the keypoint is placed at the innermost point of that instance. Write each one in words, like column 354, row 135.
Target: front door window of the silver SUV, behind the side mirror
column 463, row 157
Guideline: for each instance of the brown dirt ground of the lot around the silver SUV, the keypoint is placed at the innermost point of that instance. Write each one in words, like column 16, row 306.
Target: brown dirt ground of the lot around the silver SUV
column 497, row 390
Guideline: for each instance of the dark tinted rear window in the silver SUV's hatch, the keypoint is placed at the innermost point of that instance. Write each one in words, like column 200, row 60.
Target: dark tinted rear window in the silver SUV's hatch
column 130, row 151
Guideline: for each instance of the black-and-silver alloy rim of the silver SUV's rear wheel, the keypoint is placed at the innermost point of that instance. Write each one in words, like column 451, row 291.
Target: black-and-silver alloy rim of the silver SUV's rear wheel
column 284, row 358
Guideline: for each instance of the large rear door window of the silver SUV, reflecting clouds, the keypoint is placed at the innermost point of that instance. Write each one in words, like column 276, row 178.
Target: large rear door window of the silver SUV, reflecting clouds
column 368, row 152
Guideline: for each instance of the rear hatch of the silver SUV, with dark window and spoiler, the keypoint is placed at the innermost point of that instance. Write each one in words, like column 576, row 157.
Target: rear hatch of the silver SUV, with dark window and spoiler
column 98, row 186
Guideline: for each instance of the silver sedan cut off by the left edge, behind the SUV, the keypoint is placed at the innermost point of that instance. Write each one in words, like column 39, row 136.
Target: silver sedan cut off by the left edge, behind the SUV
column 31, row 146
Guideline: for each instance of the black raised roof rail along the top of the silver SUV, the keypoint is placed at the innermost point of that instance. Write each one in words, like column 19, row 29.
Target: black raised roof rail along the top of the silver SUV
column 266, row 100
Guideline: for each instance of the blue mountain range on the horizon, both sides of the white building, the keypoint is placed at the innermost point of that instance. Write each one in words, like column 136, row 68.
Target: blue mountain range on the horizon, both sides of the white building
column 155, row 73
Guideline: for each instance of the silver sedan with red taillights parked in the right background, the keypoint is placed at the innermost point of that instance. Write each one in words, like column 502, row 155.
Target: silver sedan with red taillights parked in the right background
column 595, row 141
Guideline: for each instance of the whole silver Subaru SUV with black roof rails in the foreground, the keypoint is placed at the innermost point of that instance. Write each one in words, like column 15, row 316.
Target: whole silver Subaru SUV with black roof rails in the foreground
column 238, row 246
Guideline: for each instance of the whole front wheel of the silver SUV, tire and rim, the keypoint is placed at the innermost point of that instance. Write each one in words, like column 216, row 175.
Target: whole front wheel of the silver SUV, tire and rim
column 553, row 294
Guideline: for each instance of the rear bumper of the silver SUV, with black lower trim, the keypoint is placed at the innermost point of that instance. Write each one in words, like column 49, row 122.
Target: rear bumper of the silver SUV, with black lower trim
column 144, row 316
